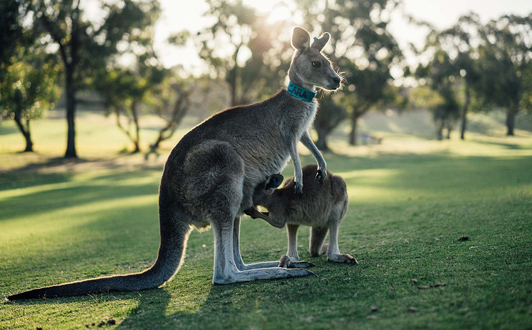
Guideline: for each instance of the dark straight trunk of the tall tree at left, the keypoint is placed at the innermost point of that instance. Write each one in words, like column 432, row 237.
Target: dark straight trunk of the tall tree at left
column 70, row 111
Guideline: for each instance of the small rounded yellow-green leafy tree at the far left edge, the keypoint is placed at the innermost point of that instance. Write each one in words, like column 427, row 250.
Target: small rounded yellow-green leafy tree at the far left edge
column 28, row 89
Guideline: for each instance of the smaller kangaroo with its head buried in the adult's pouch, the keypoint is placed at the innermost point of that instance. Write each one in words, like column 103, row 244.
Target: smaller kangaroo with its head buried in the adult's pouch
column 322, row 206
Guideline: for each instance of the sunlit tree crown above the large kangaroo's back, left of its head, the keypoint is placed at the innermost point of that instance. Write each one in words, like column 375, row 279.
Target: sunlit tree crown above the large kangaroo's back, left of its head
column 242, row 48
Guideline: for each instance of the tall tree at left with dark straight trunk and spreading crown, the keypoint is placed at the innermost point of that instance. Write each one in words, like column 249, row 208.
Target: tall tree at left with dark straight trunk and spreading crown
column 84, row 45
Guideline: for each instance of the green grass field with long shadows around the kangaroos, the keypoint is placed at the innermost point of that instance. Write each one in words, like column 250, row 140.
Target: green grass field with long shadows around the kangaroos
column 411, row 200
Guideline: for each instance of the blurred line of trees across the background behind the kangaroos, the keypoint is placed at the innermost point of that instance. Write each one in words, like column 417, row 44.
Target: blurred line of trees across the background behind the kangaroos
column 470, row 66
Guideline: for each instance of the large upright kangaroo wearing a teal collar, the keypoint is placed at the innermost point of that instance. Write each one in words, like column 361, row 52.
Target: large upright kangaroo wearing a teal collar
column 210, row 176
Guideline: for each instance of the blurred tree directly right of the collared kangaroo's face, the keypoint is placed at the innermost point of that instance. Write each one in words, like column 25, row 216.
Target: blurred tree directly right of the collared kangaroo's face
column 364, row 49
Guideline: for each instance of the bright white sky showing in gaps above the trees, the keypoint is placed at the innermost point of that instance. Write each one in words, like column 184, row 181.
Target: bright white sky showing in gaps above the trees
column 441, row 13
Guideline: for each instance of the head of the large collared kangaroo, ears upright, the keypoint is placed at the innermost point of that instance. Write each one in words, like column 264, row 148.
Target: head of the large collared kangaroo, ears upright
column 310, row 68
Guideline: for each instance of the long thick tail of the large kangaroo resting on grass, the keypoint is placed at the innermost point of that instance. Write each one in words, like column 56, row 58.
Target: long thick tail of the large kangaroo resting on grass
column 174, row 235
